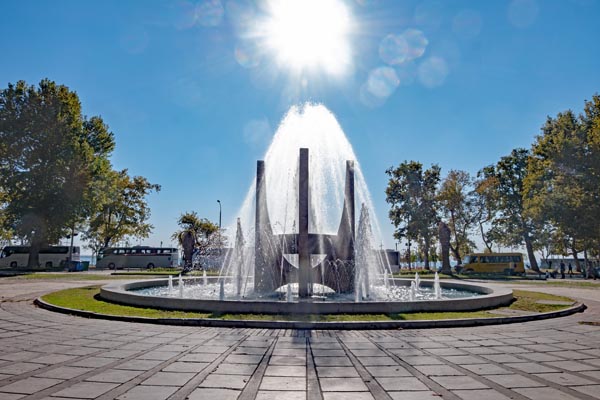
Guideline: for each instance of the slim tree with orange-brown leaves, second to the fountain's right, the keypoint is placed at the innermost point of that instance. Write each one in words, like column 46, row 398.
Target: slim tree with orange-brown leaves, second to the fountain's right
column 457, row 204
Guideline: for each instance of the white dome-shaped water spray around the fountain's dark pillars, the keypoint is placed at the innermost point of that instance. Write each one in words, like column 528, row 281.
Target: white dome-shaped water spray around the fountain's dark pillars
column 310, row 126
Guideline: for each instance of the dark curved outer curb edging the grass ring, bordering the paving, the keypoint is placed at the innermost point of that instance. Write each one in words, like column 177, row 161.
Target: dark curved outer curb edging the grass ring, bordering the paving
column 421, row 324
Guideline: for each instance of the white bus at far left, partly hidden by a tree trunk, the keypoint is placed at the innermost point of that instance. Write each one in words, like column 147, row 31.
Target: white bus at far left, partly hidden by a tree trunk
column 54, row 256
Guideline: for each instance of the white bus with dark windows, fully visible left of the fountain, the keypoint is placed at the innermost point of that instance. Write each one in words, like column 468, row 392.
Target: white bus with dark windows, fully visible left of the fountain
column 137, row 257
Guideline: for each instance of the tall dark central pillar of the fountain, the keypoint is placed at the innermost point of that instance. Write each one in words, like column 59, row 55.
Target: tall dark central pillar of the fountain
column 304, row 284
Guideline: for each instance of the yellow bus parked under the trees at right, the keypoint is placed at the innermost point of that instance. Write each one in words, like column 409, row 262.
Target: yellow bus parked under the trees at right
column 505, row 263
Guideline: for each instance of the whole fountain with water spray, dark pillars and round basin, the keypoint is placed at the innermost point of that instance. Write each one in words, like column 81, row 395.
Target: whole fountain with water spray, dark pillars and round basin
column 304, row 252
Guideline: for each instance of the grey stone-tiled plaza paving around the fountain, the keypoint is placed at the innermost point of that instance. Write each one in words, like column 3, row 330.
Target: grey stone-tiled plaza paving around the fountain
column 44, row 355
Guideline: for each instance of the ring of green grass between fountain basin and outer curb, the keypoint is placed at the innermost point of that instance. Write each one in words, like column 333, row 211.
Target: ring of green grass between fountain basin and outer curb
column 86, row 299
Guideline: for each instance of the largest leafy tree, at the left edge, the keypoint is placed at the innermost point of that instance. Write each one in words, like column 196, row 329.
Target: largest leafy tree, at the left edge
column 50, row 155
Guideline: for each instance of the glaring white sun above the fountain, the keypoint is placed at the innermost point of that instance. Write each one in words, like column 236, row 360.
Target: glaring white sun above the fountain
column 309, row 34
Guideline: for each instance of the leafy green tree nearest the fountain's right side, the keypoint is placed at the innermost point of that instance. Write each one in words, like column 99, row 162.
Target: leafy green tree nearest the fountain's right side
column 411, row 193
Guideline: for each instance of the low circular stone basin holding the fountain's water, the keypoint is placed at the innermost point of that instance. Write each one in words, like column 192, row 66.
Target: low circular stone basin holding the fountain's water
column 480, row 297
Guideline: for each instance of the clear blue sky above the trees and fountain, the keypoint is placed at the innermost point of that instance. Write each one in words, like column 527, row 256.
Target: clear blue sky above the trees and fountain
column 193, row 91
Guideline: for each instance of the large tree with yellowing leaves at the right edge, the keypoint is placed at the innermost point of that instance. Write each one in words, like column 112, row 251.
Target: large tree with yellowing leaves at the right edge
column 563, row 183
